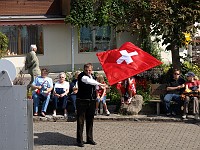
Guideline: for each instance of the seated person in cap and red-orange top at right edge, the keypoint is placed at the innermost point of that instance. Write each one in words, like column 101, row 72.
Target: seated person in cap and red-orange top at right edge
column 192, row 85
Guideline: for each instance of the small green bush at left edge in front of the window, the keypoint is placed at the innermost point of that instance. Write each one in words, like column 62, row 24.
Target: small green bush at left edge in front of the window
column 3, row 44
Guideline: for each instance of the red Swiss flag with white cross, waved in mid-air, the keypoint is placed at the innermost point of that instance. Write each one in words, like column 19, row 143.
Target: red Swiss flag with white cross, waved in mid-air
column 128, row 60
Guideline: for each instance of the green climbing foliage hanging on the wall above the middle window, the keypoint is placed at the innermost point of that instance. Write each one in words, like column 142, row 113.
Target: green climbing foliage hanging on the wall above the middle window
column 99, row 13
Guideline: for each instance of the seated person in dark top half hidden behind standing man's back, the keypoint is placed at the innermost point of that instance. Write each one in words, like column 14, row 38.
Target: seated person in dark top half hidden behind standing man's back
column 74, row 89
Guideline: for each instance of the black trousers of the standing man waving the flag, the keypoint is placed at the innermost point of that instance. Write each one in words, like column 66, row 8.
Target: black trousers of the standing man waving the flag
column 85, row 111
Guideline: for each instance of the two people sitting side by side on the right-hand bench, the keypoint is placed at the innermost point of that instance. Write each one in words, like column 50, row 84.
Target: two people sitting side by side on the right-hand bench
column 182, row 92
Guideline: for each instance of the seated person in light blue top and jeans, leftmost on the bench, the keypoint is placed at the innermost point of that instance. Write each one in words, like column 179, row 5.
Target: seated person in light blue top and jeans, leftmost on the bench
column 42, row 86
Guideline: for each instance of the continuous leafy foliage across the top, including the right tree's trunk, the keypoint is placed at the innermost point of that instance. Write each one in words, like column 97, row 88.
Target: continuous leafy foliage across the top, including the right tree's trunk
column 169, row 19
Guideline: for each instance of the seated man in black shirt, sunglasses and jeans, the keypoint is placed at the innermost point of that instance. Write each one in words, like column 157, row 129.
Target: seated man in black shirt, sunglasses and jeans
column 175, row 87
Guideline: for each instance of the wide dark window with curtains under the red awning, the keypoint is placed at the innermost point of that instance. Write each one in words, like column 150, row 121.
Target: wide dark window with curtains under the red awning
column 21, row 37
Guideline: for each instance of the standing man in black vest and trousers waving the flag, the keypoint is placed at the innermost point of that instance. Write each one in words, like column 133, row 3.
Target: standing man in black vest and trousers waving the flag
column 86, row 97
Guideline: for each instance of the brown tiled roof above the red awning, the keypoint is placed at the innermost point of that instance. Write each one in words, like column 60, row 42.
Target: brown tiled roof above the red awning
column 31, row 7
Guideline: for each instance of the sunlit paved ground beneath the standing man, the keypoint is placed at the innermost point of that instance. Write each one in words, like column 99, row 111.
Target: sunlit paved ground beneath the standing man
column 120, row 135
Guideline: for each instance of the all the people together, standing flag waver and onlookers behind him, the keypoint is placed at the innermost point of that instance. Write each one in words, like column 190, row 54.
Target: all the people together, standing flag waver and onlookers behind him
column 86, row 91
